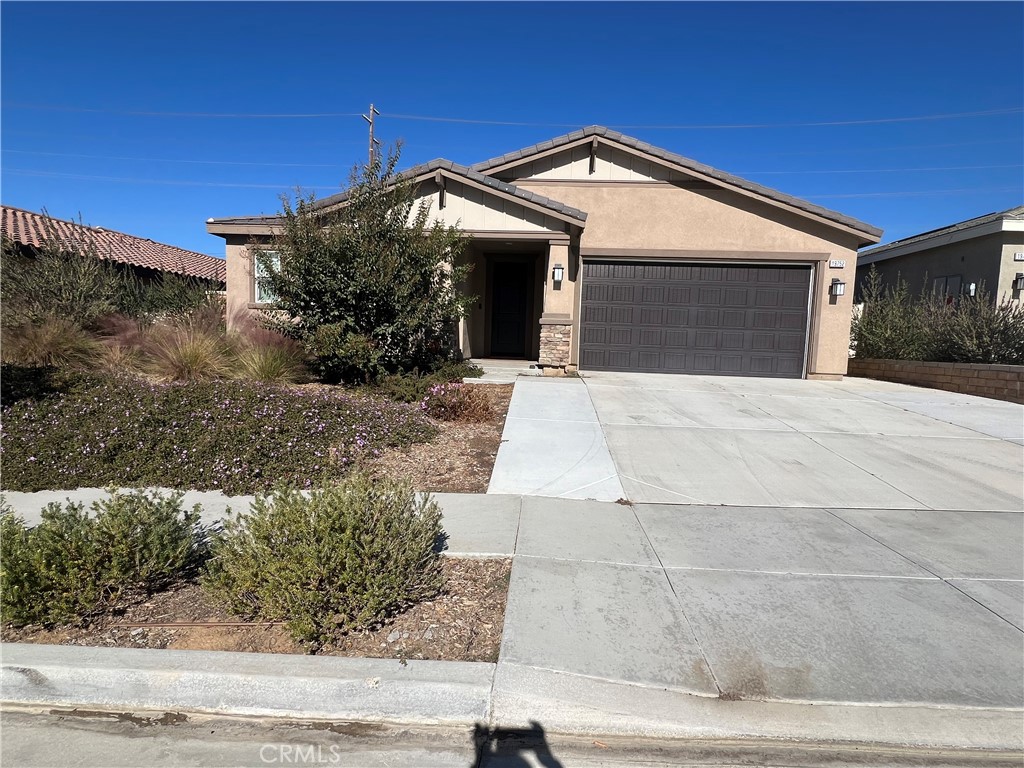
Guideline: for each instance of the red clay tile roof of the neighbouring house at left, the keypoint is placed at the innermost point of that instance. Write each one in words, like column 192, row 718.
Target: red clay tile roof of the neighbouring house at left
column 30, row 229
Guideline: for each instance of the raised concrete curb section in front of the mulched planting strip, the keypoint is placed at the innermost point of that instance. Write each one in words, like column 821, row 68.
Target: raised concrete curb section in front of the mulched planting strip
column 248, row 685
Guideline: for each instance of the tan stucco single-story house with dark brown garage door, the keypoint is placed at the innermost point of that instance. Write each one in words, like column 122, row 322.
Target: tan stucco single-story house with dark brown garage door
column 598, row 251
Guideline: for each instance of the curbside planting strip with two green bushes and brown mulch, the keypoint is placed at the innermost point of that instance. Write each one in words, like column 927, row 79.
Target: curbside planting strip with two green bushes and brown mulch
column 353, row 569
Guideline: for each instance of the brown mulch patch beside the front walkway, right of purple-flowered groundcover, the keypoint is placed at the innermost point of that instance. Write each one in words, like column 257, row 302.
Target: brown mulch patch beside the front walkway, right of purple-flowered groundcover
column 459, row 460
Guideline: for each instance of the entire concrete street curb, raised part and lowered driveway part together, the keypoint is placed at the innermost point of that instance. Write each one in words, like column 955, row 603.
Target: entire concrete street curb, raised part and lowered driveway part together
column 465, row 694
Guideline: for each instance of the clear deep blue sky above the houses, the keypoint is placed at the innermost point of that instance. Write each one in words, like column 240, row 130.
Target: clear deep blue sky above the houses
column 116, row 112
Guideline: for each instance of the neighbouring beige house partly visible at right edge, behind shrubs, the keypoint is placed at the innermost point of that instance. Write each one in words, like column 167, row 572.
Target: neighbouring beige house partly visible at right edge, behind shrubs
column 985, row 251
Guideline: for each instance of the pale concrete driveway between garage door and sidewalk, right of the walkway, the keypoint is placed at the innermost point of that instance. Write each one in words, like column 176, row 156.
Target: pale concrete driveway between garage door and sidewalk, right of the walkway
column 780, row 443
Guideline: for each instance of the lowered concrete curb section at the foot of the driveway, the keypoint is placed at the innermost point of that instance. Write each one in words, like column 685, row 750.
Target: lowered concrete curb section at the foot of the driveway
column 572, row 704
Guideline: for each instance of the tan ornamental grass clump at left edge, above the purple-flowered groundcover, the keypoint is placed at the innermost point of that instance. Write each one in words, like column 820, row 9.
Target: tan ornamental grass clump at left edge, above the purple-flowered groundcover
column 51, row 343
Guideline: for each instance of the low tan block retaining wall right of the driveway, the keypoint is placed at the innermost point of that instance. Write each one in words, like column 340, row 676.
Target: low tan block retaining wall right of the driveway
column 998, row 382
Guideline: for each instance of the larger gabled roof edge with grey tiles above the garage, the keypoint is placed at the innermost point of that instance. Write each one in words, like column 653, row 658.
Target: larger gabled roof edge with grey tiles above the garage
column 609, row 136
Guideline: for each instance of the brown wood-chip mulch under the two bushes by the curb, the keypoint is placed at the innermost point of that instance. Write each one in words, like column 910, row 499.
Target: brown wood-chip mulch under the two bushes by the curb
column 463, row 624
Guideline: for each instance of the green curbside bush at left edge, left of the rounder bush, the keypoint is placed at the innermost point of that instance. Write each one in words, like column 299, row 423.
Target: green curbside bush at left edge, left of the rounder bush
column 74, row 564
